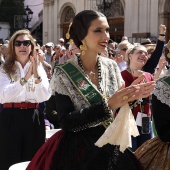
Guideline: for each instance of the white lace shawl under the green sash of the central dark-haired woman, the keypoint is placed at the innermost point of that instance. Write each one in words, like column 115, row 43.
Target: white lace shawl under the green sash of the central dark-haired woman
column 110, row 83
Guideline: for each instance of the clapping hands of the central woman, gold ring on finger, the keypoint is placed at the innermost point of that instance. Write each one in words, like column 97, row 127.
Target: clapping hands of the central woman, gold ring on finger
column 131, row 93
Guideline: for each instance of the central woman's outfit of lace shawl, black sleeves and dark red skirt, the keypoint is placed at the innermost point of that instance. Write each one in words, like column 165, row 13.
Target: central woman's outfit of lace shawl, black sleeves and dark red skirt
column 82, row 125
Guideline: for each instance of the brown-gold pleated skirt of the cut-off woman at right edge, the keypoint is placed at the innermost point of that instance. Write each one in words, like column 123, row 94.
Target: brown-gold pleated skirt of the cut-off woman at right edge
column 154, row 155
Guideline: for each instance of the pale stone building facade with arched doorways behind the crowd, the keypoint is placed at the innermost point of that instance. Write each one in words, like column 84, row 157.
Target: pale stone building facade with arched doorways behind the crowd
column 133, row 18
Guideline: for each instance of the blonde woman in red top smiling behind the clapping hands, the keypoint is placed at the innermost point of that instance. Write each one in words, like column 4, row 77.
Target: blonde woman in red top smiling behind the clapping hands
column 137, row 57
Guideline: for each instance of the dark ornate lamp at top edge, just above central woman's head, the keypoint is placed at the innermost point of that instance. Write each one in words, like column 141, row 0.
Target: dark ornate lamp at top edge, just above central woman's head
column 104, row 6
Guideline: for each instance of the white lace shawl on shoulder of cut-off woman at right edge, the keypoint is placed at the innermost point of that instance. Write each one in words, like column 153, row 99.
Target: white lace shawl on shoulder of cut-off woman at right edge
column 162, row 90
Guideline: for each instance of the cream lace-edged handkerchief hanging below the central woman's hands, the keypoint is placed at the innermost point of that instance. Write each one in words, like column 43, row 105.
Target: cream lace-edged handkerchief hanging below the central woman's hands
column 120, row 130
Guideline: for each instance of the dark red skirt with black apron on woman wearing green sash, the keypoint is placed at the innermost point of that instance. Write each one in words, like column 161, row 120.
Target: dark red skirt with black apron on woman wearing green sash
column 72, row 151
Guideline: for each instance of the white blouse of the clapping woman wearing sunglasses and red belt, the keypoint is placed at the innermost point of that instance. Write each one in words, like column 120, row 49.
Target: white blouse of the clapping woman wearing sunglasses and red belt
column 12, row 91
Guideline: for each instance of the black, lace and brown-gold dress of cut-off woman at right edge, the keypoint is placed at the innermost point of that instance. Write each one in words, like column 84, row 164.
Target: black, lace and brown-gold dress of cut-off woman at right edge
column 155, row 153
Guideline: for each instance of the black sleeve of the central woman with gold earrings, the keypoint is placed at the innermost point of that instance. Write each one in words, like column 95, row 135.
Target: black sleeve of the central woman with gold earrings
column 72, row 120
